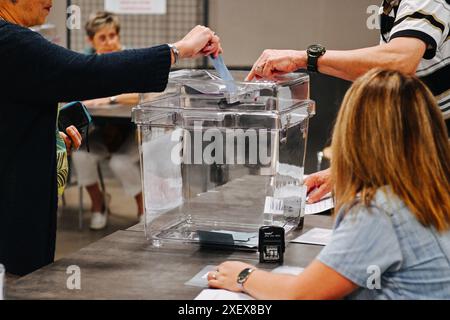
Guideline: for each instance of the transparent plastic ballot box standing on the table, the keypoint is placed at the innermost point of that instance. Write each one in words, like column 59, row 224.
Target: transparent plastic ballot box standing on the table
column 215, row 171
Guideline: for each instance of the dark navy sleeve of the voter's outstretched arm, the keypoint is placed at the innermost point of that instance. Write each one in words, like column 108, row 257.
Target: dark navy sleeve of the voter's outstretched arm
column 35, row 70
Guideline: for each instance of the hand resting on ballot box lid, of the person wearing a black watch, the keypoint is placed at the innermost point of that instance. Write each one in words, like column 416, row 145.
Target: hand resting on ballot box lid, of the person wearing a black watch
column 273, row 63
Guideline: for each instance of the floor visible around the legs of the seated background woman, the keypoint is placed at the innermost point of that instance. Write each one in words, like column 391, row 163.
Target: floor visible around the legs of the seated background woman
column 71, row 239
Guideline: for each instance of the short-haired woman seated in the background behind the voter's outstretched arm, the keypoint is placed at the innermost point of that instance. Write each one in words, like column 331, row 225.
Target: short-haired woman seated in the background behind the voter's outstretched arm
column 108, row 141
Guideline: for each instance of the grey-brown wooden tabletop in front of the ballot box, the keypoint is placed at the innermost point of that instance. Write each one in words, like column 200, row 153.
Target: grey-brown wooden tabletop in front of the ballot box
column 125, row 265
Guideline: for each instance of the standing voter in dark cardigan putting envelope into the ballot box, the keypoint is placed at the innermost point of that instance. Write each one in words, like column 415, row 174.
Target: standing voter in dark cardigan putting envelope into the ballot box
column 35, row 76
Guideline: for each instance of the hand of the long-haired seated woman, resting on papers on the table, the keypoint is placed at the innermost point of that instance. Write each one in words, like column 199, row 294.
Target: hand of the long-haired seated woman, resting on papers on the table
column 226, row 275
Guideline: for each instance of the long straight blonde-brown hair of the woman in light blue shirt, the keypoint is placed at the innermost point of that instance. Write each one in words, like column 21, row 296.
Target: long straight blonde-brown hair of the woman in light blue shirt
column 390, row 132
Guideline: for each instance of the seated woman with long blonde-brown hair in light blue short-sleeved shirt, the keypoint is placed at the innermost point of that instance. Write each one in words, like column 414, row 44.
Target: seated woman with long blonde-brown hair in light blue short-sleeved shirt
column 391, row 171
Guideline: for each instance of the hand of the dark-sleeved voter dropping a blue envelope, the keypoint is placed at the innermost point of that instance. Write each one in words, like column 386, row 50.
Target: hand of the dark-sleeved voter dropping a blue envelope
column 200, row 41
